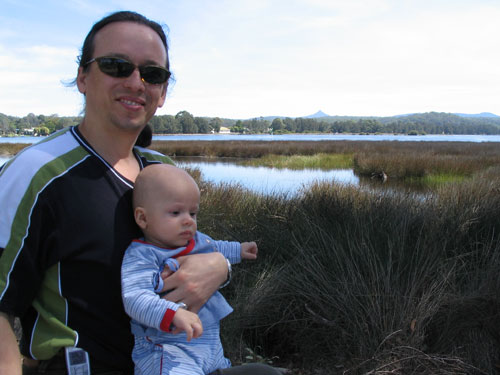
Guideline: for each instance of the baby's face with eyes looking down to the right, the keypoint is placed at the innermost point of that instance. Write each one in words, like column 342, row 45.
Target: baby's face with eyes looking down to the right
column 171, row 219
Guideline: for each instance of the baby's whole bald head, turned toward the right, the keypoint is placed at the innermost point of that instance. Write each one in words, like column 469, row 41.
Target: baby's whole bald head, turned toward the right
column 166, row 202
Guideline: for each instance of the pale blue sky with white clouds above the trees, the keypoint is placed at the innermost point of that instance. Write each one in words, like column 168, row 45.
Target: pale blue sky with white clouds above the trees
column 243, row 59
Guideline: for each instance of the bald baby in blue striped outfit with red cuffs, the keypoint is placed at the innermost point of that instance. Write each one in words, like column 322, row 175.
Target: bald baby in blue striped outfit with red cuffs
column 166, row 202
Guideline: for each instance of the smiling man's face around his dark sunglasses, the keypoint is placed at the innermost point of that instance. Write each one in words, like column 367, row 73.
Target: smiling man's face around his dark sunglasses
column 126, row 103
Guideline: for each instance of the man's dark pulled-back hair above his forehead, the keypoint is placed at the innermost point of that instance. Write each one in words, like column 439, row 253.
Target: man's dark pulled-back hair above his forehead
column 123, row 16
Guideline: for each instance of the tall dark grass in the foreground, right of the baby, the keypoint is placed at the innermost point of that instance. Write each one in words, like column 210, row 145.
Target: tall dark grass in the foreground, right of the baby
column 357, row 282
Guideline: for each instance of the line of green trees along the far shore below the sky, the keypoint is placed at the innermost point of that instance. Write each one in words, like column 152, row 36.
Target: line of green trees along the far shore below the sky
column 185, row 123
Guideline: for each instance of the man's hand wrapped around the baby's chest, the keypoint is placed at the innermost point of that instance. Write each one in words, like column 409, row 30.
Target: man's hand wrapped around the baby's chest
column 199, row 276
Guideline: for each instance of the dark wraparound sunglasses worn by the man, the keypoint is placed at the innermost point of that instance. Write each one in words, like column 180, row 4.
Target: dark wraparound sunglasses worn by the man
column 121, row 68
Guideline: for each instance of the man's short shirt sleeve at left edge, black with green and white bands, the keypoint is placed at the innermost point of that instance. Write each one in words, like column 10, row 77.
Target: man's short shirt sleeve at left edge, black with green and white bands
column 26, row 237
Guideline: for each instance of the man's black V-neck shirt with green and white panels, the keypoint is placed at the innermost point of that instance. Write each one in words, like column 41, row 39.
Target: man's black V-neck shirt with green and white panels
column 66, row 220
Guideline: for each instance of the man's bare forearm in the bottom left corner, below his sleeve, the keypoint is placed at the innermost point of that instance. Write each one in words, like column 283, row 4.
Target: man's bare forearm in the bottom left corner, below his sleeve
column 10, row 357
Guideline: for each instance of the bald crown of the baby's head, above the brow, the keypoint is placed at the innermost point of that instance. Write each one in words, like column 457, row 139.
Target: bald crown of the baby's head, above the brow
column 162, row 181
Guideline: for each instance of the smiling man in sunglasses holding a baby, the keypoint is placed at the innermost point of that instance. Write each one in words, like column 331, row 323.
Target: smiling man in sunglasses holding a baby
column 67, row 217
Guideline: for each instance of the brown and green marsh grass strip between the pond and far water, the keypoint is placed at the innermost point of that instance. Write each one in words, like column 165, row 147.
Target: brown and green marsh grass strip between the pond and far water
column 426, row 163
